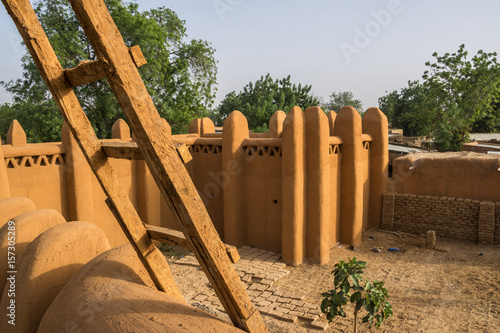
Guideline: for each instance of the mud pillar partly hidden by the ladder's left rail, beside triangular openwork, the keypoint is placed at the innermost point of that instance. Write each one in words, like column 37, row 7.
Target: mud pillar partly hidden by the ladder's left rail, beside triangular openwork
column 78, row 178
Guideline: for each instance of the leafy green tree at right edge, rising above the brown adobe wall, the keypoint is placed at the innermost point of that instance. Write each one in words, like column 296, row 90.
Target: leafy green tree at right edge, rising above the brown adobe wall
column 464, row 92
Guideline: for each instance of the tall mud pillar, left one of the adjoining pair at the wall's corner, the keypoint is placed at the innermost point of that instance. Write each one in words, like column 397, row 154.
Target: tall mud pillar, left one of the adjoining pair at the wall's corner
column 293, row 244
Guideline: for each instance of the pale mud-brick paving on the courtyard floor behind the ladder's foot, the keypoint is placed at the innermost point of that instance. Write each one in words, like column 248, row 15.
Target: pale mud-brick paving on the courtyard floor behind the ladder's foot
column 259, row 270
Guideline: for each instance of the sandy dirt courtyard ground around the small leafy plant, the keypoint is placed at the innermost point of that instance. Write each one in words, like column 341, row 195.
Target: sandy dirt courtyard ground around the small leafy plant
column 430, row 291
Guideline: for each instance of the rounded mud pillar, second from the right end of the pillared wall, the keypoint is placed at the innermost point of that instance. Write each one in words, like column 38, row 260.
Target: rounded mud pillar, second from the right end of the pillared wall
column 348, row 127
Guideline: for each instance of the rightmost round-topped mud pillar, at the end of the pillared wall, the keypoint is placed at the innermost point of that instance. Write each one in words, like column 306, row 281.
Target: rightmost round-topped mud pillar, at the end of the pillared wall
column 375, row 124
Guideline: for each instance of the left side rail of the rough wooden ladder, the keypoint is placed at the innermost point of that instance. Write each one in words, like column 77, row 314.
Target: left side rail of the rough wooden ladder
column 53, row 74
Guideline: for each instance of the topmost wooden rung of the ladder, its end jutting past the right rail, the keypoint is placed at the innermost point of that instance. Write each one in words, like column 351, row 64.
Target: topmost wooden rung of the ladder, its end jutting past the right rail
column 91, row 71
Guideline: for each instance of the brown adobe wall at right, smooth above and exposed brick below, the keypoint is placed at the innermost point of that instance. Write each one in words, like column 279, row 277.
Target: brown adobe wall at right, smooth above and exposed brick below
column 454, row 194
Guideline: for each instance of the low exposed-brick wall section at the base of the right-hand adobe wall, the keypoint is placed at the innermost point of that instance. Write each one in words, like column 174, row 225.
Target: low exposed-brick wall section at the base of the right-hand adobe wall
column 457, row 218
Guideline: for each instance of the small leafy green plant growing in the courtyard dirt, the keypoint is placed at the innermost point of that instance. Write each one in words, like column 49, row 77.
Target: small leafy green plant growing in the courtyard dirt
column 349, row 286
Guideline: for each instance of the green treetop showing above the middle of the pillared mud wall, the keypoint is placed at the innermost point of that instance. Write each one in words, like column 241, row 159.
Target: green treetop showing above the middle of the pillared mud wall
column 258, row 101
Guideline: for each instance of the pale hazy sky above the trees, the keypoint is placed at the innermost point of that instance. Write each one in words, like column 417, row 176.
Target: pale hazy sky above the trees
column 364, row 46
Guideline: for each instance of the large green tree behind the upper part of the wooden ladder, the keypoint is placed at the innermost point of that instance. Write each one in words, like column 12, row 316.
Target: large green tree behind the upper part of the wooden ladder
column 180, row 74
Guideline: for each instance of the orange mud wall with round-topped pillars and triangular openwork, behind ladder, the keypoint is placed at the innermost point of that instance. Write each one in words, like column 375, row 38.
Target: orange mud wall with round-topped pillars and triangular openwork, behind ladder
column 299, row 189
